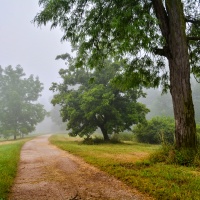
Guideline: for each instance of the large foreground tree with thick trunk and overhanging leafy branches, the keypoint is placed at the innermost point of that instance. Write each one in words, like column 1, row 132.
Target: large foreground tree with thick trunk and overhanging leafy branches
column 144, row 33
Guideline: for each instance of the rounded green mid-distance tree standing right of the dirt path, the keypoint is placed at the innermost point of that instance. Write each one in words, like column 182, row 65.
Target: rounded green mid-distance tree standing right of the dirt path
column 96, row 102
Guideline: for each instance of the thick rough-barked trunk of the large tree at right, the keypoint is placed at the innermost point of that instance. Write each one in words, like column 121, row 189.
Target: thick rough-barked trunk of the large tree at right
column 178, row 58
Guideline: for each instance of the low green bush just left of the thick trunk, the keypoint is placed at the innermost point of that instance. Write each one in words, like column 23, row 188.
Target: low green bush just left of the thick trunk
column 155, row 131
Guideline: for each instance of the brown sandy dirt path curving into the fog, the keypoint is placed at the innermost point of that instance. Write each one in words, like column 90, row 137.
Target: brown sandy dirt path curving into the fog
column 46, row 173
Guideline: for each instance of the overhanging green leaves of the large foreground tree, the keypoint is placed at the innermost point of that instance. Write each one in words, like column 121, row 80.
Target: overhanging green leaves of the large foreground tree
column 99, row 29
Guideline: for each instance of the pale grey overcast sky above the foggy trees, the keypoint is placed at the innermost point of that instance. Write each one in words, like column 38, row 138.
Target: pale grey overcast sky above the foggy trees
column 23, row 43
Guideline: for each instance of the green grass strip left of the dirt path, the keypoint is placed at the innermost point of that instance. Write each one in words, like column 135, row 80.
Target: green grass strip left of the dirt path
column 9, row 158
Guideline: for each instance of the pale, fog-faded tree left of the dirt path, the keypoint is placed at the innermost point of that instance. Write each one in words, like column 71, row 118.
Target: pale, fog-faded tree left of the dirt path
column 18, row 113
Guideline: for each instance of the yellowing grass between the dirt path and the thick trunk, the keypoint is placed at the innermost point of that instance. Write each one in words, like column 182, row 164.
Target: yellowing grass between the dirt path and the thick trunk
column 129, row 163
